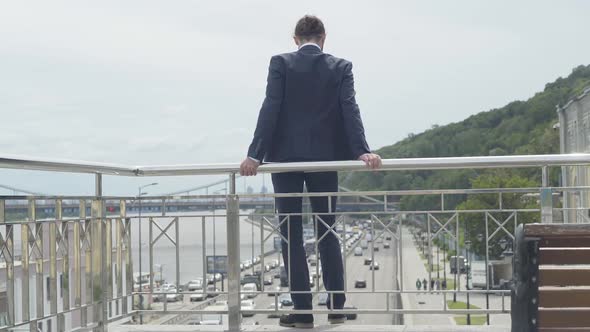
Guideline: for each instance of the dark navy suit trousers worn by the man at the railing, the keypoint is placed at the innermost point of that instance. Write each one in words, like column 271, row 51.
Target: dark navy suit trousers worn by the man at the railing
column 328, row 246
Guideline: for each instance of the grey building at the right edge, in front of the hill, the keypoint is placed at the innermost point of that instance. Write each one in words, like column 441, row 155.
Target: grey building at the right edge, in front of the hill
column 574, row 136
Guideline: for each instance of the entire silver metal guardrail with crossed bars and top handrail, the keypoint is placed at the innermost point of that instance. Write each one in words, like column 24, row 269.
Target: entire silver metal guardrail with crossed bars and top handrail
column 82, row 242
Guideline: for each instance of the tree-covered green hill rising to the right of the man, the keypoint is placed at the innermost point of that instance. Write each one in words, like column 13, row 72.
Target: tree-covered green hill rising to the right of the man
column 521, row 127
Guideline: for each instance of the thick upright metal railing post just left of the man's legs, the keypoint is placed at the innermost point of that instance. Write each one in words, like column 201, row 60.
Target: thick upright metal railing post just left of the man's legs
column 233, row 257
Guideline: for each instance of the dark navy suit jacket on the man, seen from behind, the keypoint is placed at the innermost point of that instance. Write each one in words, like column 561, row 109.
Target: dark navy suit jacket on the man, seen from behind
column 310, row 112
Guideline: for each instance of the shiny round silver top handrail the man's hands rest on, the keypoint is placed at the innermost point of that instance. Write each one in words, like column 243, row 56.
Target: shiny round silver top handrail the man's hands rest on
column 75, row 166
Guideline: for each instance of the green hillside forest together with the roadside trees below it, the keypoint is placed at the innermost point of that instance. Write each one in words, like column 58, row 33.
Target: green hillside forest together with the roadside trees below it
column 521, row 127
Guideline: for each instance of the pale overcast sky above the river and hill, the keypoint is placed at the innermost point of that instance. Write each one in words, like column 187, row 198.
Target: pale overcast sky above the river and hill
column 144, row 82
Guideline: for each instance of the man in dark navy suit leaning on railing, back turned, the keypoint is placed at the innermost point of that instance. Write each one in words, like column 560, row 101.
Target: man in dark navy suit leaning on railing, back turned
column 309, row 114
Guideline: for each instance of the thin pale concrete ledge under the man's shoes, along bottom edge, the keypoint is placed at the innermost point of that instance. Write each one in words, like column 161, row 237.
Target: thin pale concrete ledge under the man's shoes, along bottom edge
column 326, row 328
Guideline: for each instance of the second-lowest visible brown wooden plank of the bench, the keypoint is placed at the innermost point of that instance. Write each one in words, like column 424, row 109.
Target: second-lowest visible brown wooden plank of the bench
column 561, row 297
